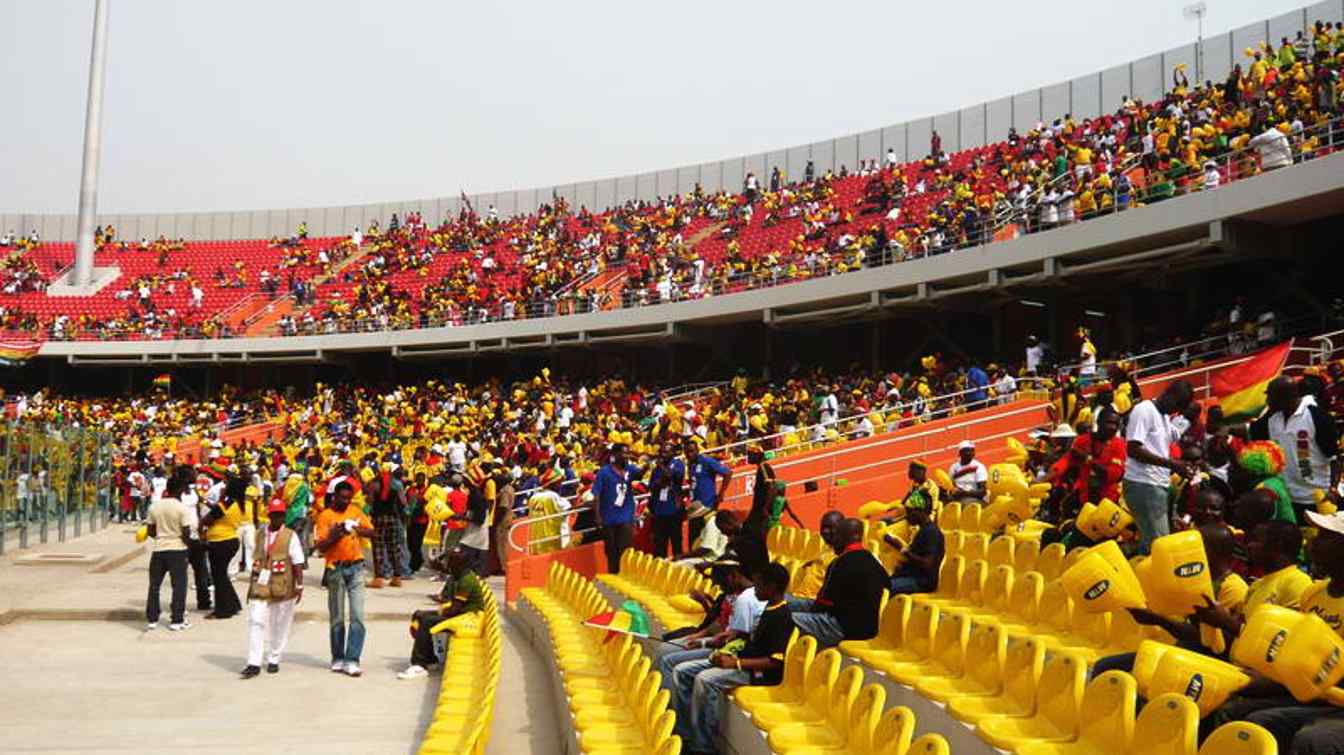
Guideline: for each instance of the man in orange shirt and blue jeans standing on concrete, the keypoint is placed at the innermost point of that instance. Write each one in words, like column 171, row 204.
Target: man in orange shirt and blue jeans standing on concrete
column 339, row 530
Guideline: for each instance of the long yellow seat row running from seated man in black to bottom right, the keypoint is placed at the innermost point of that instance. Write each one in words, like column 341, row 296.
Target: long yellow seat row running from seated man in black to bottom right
column 1021, row 702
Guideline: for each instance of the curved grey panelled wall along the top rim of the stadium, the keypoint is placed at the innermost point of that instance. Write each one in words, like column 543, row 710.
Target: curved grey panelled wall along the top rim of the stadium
column 975, row 126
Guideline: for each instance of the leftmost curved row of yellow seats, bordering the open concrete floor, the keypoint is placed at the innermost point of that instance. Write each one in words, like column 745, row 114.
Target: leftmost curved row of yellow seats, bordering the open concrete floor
column 462, row 722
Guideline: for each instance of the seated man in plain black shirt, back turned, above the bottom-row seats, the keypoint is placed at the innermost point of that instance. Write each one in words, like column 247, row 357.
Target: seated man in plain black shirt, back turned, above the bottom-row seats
column 847, row 605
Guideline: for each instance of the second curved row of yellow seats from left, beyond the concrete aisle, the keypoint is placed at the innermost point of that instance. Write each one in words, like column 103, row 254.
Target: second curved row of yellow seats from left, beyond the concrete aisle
column 615, row 698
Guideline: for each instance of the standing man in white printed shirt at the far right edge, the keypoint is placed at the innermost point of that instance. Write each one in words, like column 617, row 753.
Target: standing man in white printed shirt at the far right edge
column 1310, row 441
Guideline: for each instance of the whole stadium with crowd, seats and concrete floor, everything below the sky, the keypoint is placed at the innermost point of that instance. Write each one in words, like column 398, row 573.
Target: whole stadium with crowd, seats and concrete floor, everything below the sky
column 1007, row 431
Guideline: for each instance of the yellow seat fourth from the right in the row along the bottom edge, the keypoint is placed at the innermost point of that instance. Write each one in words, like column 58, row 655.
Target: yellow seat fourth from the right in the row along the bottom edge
column 1058, row 699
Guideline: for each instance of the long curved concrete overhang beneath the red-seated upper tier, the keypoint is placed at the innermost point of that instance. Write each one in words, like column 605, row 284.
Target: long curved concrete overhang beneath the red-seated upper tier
column 1237, row 221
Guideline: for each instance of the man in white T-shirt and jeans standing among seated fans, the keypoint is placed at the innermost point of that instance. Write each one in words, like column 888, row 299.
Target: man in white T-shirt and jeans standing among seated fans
column 1150, row 467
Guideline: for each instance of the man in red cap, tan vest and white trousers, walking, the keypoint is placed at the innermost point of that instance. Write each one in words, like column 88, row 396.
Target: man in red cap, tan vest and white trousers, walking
column 276, row 589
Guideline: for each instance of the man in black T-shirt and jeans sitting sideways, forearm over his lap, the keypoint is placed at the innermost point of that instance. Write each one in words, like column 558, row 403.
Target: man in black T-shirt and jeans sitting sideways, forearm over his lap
column 760, row 662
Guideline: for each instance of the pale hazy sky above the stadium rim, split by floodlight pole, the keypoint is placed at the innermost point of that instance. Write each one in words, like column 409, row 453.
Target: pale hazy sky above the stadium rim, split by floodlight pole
column 268, row 104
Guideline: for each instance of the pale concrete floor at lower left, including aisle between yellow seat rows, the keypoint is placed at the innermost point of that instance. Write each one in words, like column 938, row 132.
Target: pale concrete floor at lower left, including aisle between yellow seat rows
column 81, row 674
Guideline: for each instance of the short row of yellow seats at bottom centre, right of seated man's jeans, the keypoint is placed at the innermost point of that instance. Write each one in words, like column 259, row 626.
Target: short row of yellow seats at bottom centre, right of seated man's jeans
column 821, row 709
